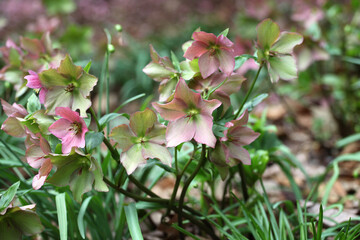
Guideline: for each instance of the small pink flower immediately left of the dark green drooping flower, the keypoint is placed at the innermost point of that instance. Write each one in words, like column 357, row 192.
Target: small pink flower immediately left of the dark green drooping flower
column 36, row 157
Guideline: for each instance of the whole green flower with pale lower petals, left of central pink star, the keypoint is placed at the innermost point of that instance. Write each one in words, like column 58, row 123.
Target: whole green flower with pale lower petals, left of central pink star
column 140, row 140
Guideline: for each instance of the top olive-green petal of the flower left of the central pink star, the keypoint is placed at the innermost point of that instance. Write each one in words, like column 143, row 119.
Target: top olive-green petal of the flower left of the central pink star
column 141, row 122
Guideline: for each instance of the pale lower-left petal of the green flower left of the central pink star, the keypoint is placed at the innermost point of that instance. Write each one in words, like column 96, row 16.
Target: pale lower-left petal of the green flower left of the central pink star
column 132, row 158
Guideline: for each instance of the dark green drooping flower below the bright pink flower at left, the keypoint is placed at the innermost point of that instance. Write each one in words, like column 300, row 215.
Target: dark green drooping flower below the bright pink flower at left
column 79, row 171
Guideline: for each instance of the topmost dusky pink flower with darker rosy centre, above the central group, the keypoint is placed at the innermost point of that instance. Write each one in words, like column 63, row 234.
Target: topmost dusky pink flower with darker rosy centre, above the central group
column 213, row 53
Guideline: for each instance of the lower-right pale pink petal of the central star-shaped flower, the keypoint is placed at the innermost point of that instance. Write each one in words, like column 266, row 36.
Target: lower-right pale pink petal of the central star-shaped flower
column 204, row 133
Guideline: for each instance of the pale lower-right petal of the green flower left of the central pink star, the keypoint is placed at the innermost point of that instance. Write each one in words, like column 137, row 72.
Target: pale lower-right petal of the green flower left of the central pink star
column 152, row 150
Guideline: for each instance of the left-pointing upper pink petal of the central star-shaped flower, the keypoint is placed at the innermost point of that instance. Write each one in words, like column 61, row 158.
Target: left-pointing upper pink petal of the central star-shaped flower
column 171, row 111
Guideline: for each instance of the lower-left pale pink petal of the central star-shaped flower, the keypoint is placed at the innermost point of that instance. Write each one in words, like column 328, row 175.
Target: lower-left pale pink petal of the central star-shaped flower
column 179, row 131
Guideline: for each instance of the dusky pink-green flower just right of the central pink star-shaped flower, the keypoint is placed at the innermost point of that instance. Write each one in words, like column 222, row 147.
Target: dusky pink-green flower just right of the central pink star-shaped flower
column 229, row 151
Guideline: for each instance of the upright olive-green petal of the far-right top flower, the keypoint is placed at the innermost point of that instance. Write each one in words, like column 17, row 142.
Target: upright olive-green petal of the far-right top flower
column 267, row 33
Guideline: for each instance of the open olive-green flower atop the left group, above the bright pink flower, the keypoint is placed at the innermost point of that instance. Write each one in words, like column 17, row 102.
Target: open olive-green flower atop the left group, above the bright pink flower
column 67, row 86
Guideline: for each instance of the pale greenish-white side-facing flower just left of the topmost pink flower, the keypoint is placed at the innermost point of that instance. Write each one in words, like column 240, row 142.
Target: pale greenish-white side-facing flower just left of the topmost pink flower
column 162, row 70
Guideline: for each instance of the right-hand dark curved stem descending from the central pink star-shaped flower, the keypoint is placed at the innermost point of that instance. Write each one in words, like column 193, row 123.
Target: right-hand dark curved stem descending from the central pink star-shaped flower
column 187, row 184
